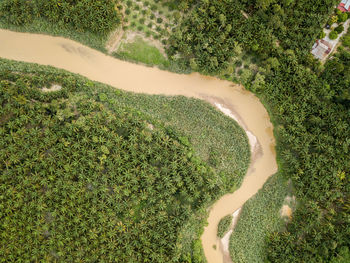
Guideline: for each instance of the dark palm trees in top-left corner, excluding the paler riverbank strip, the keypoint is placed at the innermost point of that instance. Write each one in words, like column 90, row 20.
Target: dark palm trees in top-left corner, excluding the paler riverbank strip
column 99, row 17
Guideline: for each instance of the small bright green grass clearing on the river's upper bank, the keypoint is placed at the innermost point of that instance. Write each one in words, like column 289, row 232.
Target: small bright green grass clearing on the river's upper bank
column 141, row 51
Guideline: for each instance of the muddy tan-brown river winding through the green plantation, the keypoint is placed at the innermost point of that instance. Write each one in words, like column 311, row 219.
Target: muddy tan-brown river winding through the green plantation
column 250, row 113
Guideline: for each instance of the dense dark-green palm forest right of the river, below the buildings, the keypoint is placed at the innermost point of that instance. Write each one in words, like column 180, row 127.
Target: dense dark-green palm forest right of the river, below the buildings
column 309, row 106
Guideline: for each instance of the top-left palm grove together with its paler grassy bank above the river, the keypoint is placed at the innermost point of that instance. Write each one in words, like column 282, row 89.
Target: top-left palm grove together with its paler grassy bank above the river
column 50, row 21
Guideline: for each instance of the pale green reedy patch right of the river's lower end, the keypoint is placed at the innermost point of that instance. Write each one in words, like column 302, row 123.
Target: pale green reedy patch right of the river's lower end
column 259, row 217
